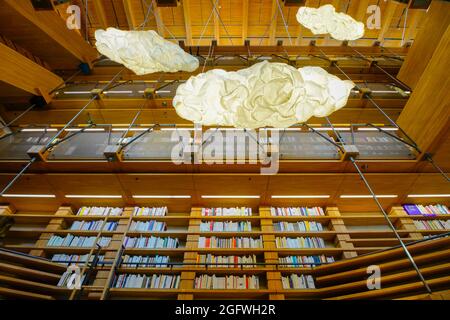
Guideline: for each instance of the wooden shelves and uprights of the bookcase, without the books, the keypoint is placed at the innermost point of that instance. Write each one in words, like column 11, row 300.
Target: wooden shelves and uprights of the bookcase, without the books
column 347, row 235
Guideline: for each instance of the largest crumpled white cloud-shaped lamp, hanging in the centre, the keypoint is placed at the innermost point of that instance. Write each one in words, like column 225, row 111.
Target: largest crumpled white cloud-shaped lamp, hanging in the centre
column 265, row 94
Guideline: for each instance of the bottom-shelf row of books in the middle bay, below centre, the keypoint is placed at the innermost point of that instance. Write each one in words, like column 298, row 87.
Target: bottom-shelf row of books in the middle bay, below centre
column 226, row 282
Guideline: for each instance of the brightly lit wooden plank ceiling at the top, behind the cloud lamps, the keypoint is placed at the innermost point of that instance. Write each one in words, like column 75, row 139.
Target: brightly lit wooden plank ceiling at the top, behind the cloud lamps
column 260, row 21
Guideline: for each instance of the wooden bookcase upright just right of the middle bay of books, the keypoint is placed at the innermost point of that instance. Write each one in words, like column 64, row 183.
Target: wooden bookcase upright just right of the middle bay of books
column 273, row 276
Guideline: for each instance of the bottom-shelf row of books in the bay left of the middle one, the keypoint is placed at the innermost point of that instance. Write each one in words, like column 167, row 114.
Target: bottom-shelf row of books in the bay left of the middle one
column 155, row 281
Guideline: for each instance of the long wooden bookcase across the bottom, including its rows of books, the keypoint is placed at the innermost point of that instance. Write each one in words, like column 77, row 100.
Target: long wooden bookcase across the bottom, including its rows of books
column 345, row 234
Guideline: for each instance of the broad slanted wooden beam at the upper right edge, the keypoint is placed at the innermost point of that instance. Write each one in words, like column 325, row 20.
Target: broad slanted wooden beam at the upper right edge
column 425, row 118
